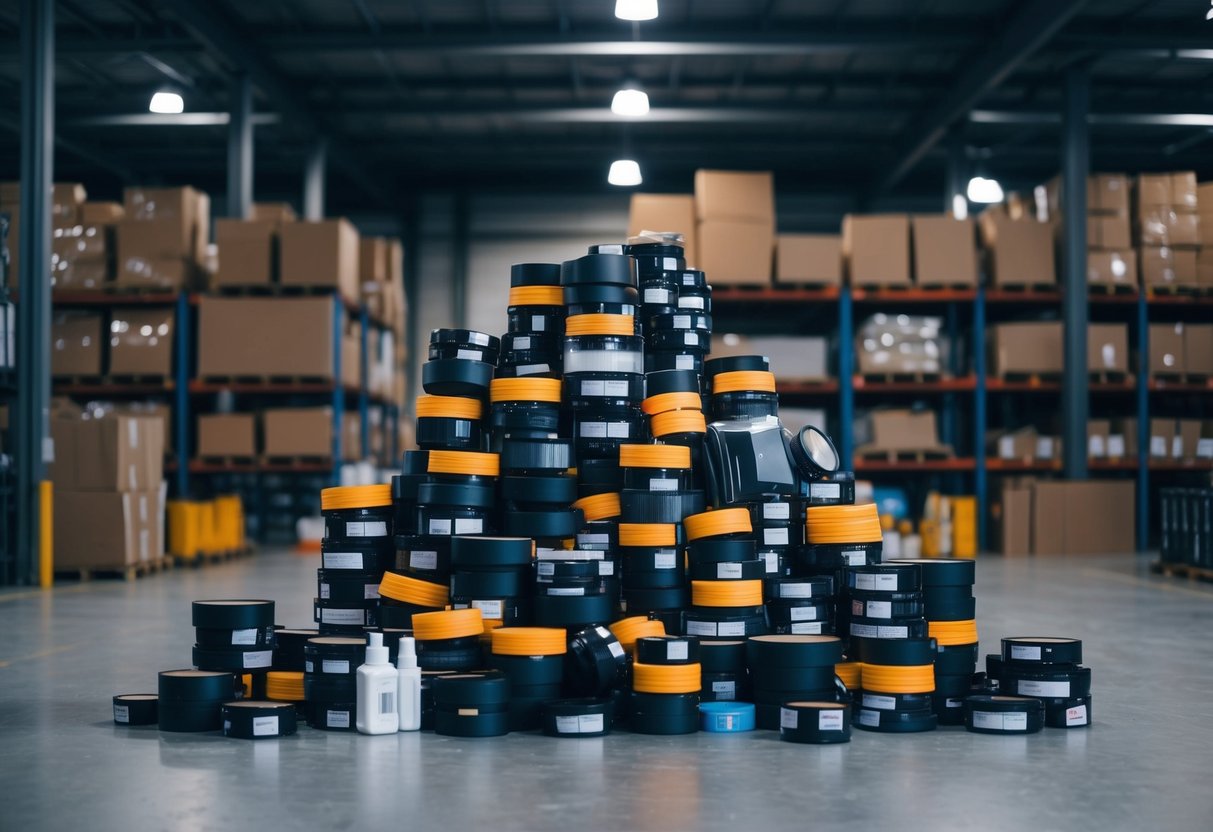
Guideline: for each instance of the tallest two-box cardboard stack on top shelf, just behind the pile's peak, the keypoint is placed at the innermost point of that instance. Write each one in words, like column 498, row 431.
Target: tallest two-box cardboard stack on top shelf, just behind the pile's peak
column 736, row 231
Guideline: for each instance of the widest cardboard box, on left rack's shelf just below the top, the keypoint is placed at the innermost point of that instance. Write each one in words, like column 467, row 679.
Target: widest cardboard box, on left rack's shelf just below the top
column 257, row 337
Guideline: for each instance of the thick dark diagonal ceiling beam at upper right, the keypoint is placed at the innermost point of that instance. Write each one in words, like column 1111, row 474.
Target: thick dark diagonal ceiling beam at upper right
column 1029, row 29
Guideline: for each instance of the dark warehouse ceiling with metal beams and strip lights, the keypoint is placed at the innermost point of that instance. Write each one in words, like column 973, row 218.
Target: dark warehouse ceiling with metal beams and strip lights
column 855, row 98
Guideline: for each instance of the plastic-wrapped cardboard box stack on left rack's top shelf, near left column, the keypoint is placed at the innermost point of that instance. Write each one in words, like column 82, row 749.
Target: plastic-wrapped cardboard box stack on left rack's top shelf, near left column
column 162, row 243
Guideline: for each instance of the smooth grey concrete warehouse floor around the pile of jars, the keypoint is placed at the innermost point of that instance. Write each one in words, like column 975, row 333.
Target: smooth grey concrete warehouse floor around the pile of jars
column 1144, row 765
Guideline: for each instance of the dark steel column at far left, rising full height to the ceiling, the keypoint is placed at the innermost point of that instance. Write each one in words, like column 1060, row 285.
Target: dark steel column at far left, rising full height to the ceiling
column 35, row 306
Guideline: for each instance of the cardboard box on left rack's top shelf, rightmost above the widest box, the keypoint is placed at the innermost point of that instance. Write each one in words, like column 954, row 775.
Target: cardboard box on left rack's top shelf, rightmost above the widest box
column 321, row 254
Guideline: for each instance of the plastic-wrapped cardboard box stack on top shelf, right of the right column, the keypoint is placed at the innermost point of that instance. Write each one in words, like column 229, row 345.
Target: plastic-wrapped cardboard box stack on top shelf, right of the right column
column 1168, row 224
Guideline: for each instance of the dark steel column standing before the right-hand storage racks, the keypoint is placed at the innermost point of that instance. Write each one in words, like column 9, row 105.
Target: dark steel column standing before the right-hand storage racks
column 1075, row 168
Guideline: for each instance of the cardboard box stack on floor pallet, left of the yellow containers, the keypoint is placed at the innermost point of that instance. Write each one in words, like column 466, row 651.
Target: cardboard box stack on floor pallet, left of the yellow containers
column 110, row 491
